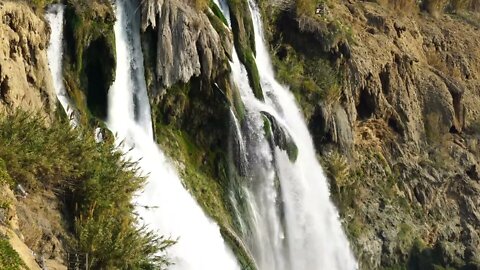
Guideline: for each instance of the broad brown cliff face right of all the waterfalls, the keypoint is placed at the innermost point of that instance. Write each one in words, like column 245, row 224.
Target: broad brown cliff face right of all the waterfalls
column 400, row 141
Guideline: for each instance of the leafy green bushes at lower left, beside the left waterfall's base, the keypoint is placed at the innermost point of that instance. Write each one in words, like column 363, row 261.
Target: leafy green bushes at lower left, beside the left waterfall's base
column 96, row 181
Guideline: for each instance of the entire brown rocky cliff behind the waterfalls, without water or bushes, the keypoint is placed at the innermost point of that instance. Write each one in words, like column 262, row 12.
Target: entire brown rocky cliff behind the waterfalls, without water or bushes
column 391, row 94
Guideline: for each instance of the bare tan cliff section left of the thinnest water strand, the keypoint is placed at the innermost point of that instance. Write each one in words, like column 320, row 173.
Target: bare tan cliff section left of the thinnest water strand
column 25, row 80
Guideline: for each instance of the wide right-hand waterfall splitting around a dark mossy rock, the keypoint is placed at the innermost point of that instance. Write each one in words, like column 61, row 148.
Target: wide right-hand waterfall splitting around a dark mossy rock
column 293, row 223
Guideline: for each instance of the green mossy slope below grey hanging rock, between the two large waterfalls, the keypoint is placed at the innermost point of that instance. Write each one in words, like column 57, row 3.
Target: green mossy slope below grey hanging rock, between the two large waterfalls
column 192, row 126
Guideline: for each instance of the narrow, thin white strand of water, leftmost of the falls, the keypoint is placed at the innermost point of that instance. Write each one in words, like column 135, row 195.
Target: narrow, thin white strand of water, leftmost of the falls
column 54, row 17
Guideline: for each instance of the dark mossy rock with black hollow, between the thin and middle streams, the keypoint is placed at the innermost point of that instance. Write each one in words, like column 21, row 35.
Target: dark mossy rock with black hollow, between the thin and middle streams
column 90, row 58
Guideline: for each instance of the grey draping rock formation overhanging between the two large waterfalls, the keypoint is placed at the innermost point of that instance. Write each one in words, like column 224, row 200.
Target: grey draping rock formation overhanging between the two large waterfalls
column 188, row 45
